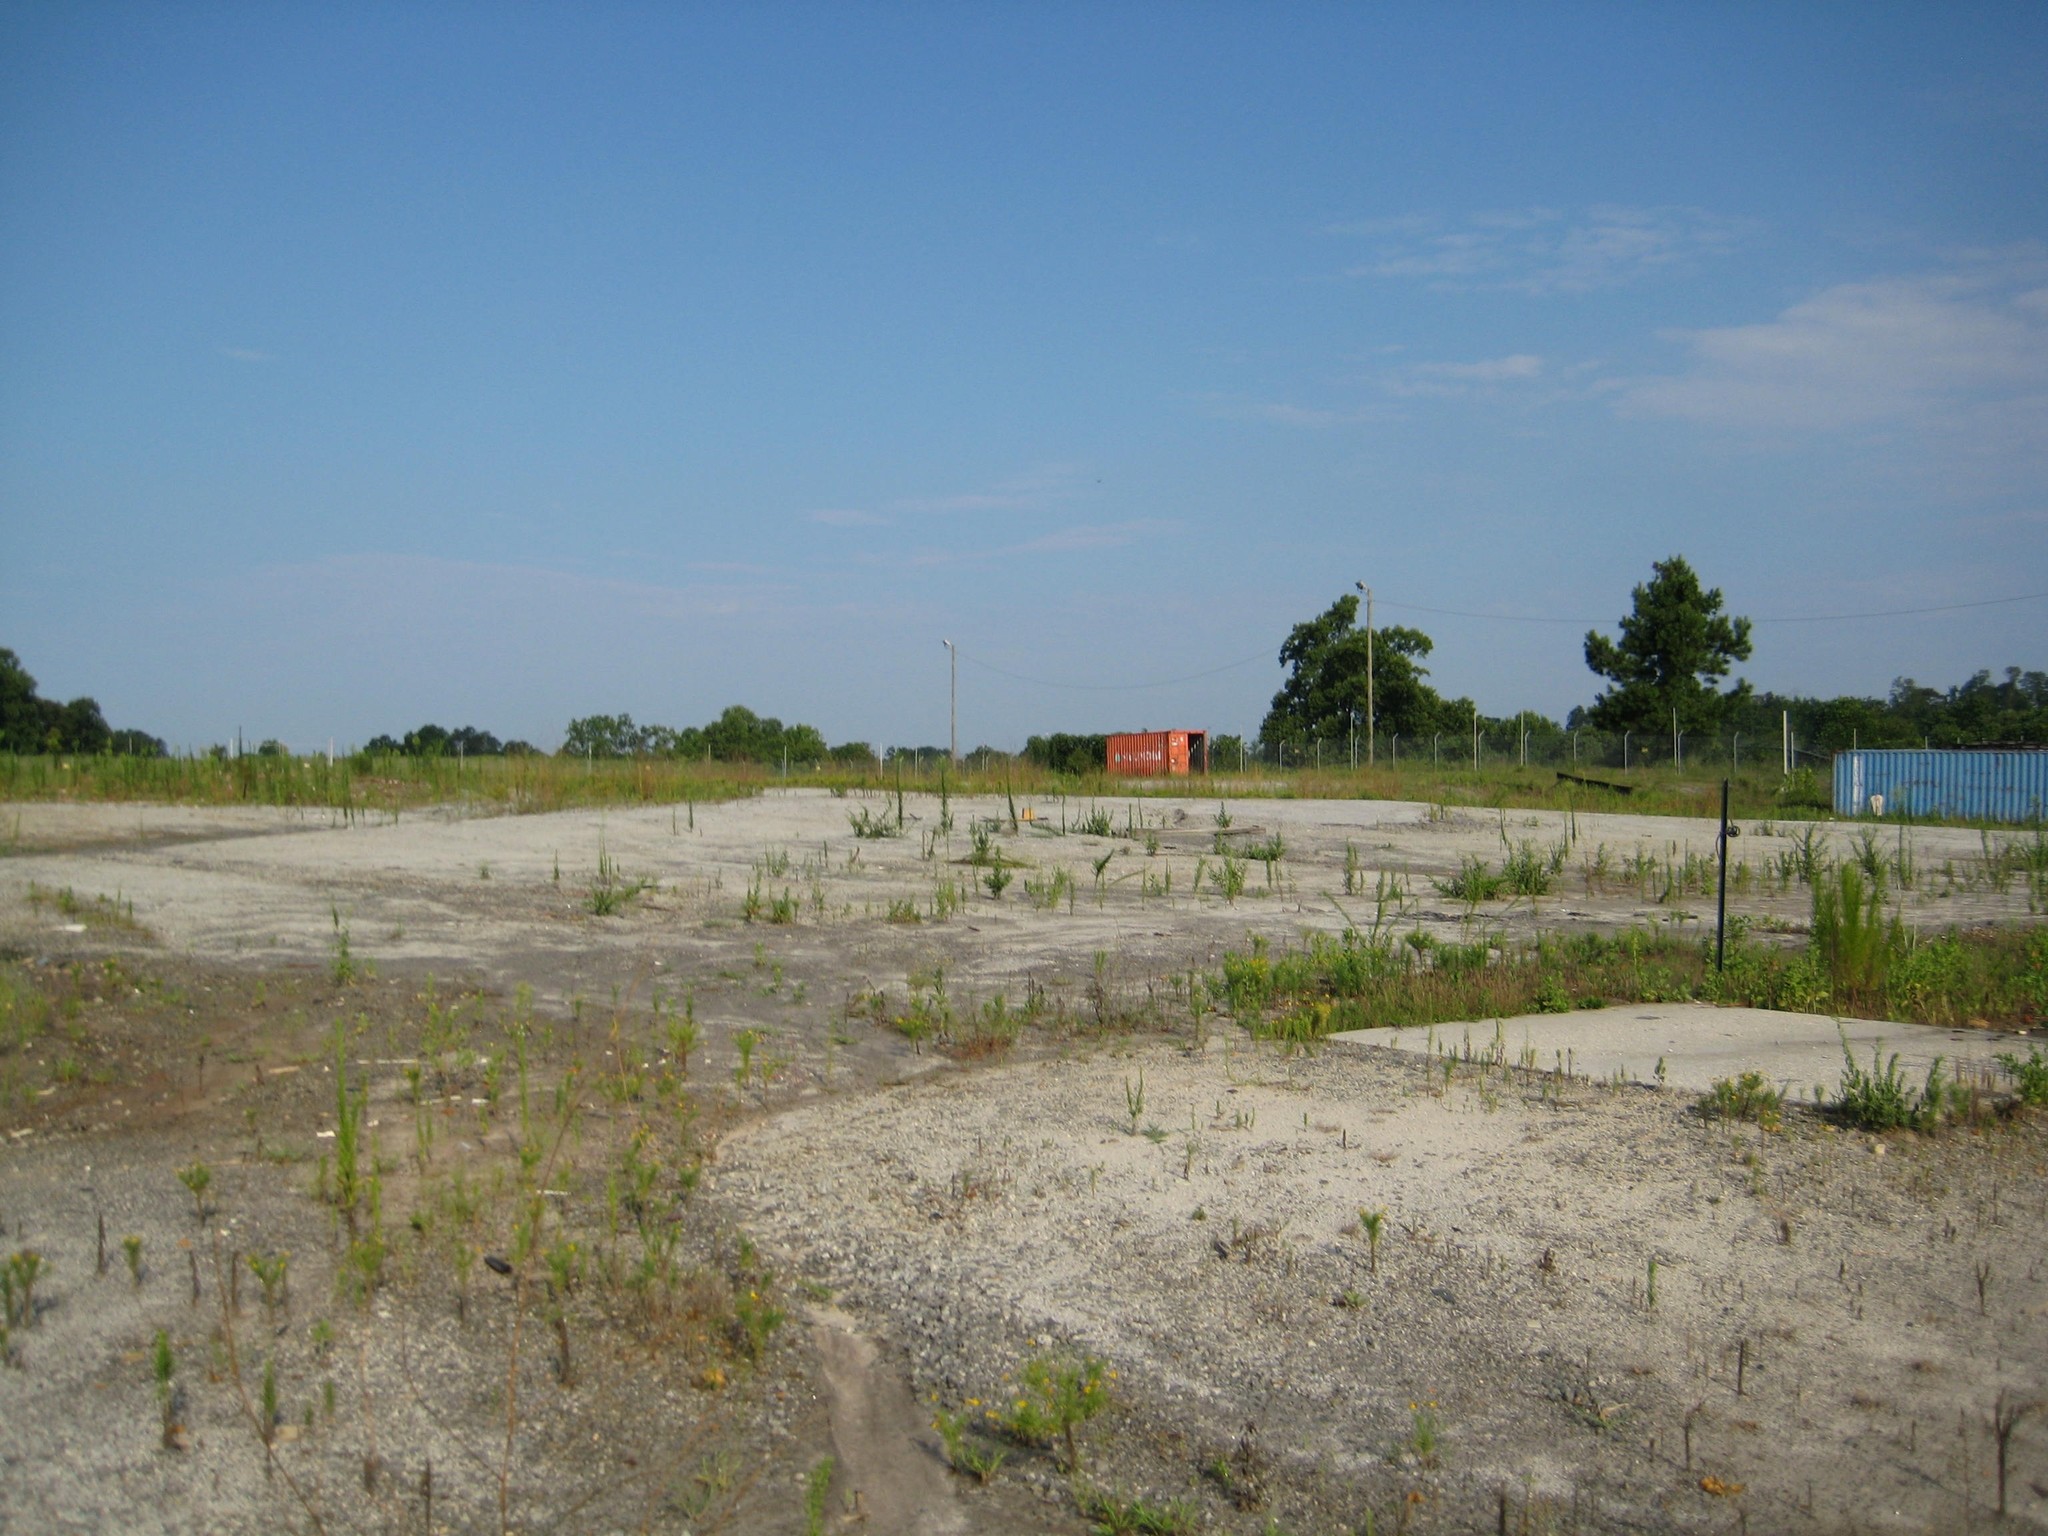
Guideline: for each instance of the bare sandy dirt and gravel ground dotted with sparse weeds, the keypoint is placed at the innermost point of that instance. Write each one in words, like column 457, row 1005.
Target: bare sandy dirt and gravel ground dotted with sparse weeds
column 1588, row 1308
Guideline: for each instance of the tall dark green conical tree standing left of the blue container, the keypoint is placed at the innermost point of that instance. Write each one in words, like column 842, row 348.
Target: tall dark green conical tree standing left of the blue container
column 1676, row 644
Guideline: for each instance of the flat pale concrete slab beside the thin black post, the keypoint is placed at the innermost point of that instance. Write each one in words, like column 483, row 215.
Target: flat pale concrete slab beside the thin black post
column 1701, row 1043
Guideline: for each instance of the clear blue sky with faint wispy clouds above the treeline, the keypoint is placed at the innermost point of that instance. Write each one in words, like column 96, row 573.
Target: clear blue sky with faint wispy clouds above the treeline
column 376, row 366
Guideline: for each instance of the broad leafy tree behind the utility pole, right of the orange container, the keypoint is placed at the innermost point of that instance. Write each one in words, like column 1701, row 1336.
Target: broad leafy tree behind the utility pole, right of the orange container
column 1326, row 689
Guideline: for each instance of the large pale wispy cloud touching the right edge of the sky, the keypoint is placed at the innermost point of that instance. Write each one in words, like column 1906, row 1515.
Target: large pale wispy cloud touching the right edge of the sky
column 1959, row 349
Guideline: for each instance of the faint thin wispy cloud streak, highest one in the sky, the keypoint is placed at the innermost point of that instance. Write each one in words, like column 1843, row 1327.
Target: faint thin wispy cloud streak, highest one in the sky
column 1543, row 251
